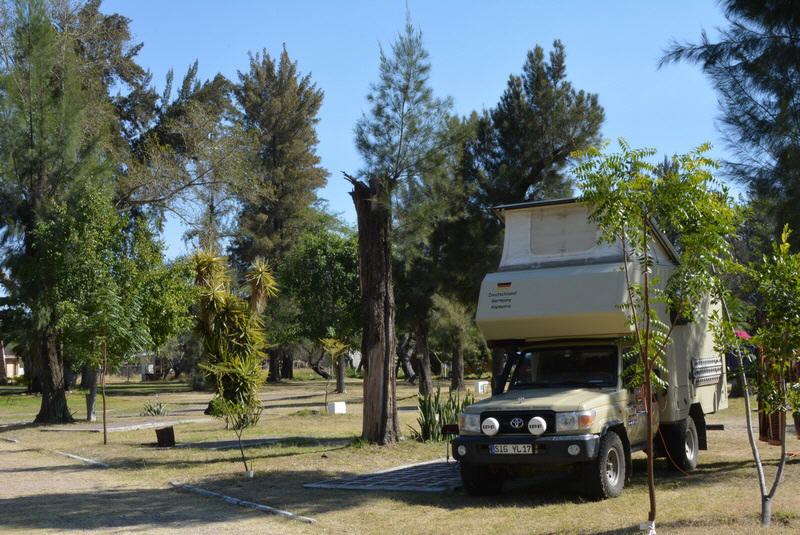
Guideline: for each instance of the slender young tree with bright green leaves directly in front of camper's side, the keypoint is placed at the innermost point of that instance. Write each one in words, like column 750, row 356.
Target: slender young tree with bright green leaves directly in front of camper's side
column 630, row 199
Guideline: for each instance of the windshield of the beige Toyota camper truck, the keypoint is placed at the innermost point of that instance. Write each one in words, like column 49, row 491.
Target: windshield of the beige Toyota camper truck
column 592, row 367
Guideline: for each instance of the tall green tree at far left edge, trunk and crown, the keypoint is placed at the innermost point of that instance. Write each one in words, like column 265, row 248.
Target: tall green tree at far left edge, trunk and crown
column 52, row 126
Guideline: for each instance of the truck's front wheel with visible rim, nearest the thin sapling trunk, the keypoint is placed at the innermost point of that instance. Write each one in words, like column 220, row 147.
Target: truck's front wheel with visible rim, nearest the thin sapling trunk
column 605, row 476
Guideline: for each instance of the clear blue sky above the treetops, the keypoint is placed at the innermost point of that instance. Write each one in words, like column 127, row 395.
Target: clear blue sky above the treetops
column 612, row 48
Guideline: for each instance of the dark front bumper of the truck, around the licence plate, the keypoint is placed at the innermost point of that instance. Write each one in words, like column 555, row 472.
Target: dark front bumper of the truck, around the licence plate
column 551, row 449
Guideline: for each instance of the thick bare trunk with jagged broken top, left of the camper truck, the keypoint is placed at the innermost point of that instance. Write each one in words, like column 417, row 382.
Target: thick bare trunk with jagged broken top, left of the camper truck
column 373, row 208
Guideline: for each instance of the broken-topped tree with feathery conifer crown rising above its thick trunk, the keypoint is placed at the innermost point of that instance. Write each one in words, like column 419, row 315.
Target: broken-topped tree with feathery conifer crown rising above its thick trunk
column 397, row 140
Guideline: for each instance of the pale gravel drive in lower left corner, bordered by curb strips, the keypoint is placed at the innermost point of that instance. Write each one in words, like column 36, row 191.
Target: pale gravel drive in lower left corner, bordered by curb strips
column 42, row 492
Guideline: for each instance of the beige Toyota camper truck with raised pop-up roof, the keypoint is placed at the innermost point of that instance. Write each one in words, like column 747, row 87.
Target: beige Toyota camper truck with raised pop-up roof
column 561, row 403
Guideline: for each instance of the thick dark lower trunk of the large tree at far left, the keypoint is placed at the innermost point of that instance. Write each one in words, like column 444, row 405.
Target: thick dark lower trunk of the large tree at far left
column 54, row 408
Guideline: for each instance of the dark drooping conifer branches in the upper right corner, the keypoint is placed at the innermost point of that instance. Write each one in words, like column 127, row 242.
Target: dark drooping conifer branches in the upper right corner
column 755, row 66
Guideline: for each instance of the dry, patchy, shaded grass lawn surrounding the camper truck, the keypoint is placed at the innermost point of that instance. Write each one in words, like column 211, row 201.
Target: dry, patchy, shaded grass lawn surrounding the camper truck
column 721, row 497
